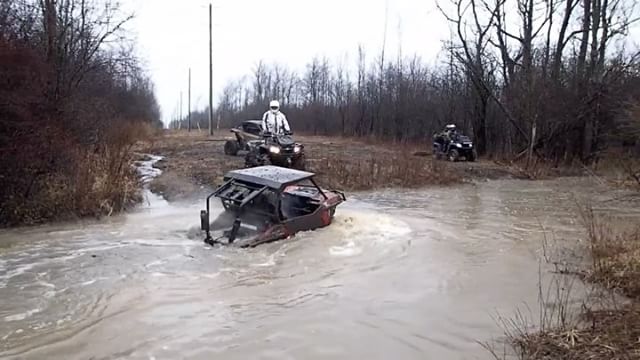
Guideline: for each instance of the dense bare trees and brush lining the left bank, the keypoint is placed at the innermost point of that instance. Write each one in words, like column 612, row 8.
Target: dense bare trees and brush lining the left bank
column 73, row 100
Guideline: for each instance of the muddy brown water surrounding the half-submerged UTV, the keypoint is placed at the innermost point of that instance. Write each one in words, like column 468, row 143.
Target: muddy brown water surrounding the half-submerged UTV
column 400, row 274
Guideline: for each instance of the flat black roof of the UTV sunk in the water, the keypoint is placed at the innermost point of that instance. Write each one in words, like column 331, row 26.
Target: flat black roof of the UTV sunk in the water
column 271, row 176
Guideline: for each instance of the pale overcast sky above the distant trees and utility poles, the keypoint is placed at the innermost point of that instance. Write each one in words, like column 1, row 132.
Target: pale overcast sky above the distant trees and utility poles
column 173, row 36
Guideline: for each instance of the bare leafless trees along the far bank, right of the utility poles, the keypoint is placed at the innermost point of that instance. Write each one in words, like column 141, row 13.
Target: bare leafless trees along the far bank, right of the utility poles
column 558, row 86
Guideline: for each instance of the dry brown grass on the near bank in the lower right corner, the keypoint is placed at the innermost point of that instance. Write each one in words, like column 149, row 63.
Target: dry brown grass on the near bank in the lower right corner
column 612, row 333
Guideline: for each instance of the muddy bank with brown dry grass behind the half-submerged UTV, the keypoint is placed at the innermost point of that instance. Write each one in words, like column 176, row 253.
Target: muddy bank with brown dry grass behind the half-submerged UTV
column 196, row 163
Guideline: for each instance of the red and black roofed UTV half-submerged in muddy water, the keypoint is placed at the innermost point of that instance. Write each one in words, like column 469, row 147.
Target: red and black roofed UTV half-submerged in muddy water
column 268, row 203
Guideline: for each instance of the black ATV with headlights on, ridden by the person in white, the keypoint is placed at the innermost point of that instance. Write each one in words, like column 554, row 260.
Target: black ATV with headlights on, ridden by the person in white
column 278, row 150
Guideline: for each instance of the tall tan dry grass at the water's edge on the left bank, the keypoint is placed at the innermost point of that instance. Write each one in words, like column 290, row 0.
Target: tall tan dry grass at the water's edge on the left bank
column 88, row 181
